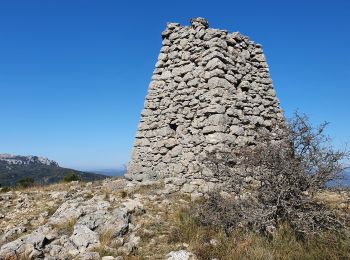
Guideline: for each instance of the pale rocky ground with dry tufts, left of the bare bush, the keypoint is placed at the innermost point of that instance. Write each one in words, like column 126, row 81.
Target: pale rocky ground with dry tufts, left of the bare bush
column 112, row 219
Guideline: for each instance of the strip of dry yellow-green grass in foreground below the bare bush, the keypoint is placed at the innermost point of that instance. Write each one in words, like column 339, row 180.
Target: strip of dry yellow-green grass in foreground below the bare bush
column 211, row 242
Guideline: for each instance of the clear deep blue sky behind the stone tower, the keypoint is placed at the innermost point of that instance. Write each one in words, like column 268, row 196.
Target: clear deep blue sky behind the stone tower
column 74, row 74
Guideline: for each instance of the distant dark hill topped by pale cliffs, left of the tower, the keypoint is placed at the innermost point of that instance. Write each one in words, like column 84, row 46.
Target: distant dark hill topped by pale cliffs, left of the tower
column 40, row 169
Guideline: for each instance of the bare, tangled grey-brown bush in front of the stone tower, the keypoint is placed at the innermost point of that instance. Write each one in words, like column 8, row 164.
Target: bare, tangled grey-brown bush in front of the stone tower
column 274, row 182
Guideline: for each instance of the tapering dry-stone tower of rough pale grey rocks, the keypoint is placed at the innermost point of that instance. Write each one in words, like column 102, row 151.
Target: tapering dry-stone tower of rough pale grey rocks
column 210, row 91
